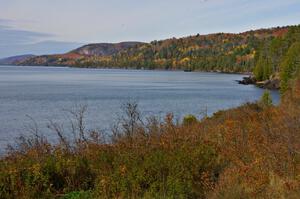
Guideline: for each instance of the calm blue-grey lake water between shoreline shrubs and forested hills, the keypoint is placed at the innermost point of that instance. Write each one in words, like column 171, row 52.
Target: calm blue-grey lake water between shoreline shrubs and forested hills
column 44, row 93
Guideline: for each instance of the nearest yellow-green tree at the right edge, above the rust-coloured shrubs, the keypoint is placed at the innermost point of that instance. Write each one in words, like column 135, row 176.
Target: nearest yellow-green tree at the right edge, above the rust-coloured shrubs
column 290, row 66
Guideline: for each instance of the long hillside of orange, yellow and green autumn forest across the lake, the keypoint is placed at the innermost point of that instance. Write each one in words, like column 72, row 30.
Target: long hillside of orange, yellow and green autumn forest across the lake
column 224, row 52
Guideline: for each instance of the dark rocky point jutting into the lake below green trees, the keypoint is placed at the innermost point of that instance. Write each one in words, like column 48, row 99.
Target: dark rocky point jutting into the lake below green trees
column 272, row 84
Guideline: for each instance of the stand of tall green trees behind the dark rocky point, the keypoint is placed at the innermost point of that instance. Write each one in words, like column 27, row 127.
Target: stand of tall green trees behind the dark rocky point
column 279, row 57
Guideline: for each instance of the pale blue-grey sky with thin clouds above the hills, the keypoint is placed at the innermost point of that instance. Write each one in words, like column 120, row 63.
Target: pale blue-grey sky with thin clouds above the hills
column 43, row 26
